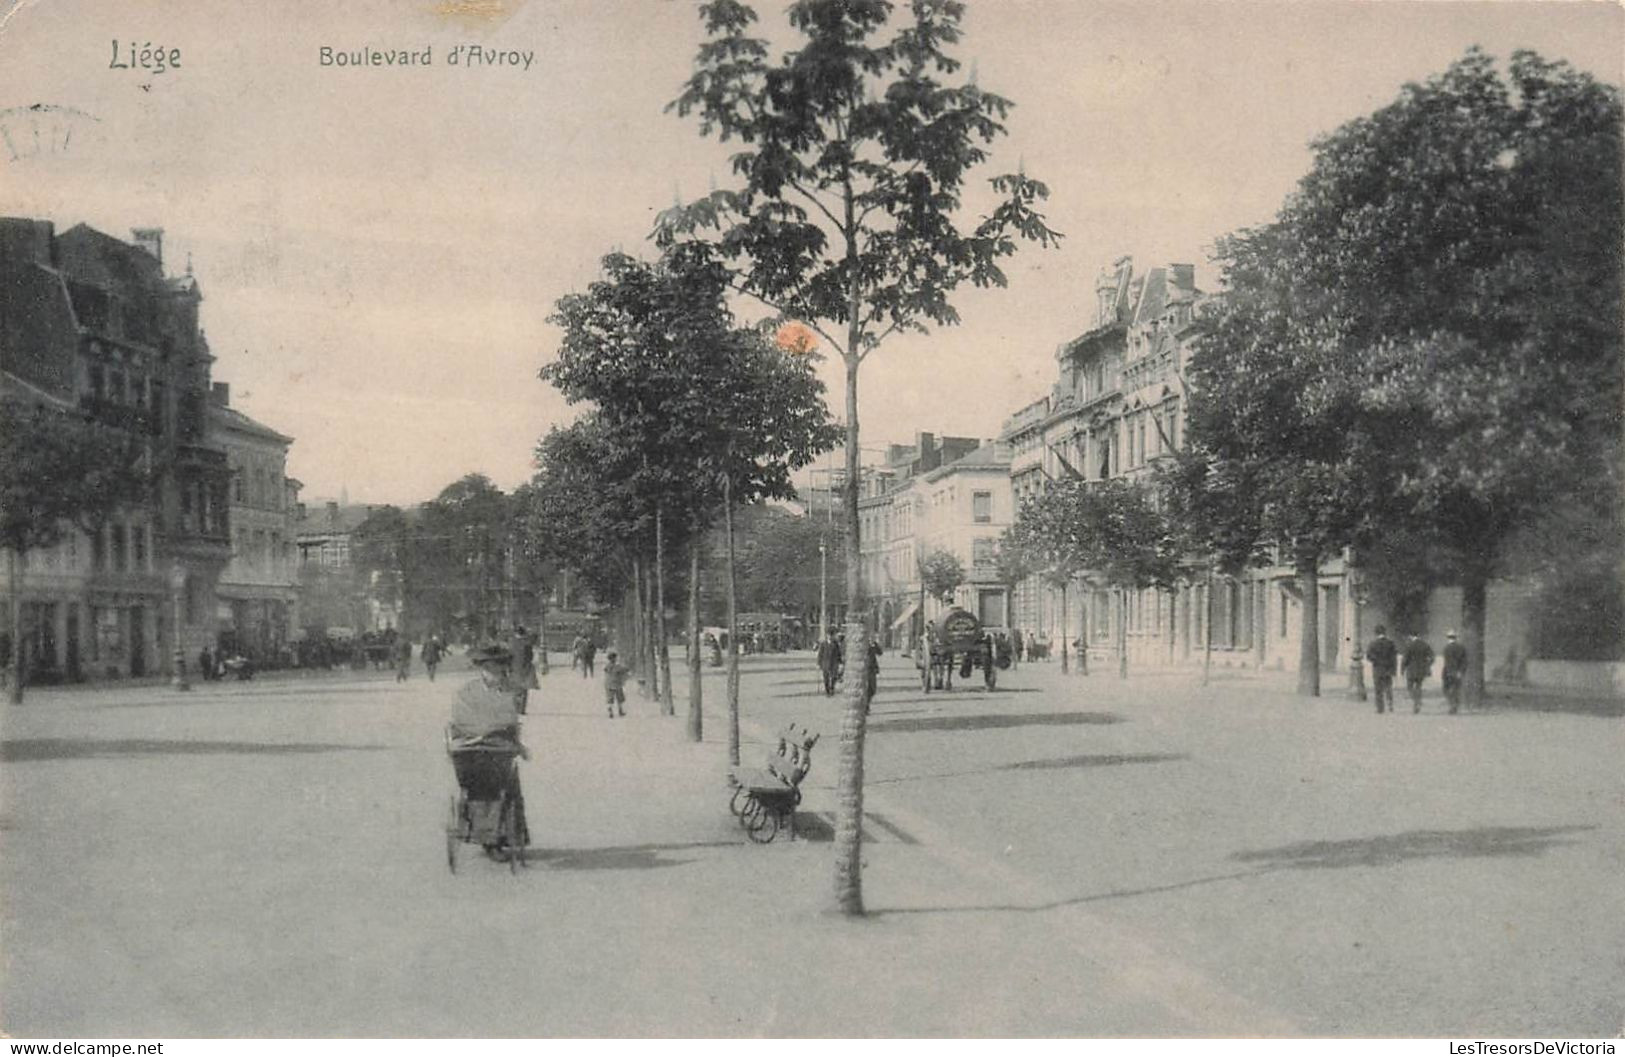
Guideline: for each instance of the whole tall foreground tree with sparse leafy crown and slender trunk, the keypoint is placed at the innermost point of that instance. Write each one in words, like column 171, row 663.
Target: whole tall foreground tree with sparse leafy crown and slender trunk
column 852, row 167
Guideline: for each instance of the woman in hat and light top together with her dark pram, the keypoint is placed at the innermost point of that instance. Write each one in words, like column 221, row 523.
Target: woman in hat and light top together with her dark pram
column 485, row 749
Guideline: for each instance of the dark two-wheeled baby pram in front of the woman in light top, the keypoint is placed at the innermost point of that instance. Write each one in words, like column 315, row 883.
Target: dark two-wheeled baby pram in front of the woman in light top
column 488, row 807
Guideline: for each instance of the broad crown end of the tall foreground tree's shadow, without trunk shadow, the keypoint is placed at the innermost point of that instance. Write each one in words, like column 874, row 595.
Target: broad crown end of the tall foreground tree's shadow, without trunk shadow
column 1488, row 842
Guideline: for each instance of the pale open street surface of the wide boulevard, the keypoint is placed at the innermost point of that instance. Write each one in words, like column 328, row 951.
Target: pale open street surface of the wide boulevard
column 1064, row 856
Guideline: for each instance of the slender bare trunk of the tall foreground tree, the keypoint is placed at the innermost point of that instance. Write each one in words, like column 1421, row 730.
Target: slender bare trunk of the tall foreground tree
column 849, row 778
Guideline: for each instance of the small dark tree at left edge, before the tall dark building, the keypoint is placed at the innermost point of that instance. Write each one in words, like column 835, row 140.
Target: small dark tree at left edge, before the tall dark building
column 59, row 471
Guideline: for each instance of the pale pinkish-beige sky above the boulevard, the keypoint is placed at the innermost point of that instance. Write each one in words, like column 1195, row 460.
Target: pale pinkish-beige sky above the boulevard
column 379, row 248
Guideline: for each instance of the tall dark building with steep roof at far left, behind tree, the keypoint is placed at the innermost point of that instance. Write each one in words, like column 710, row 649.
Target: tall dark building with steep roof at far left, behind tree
column 95, row 323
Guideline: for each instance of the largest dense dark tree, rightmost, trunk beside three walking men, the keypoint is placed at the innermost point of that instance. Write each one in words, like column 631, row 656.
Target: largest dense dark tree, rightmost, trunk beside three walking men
column 1444, row 295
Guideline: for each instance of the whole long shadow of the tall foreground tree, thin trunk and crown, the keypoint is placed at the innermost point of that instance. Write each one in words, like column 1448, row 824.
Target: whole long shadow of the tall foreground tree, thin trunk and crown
column 1319, row 855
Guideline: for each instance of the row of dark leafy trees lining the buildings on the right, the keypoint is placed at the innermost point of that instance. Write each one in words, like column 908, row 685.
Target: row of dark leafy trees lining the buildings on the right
column 1416, row 363
